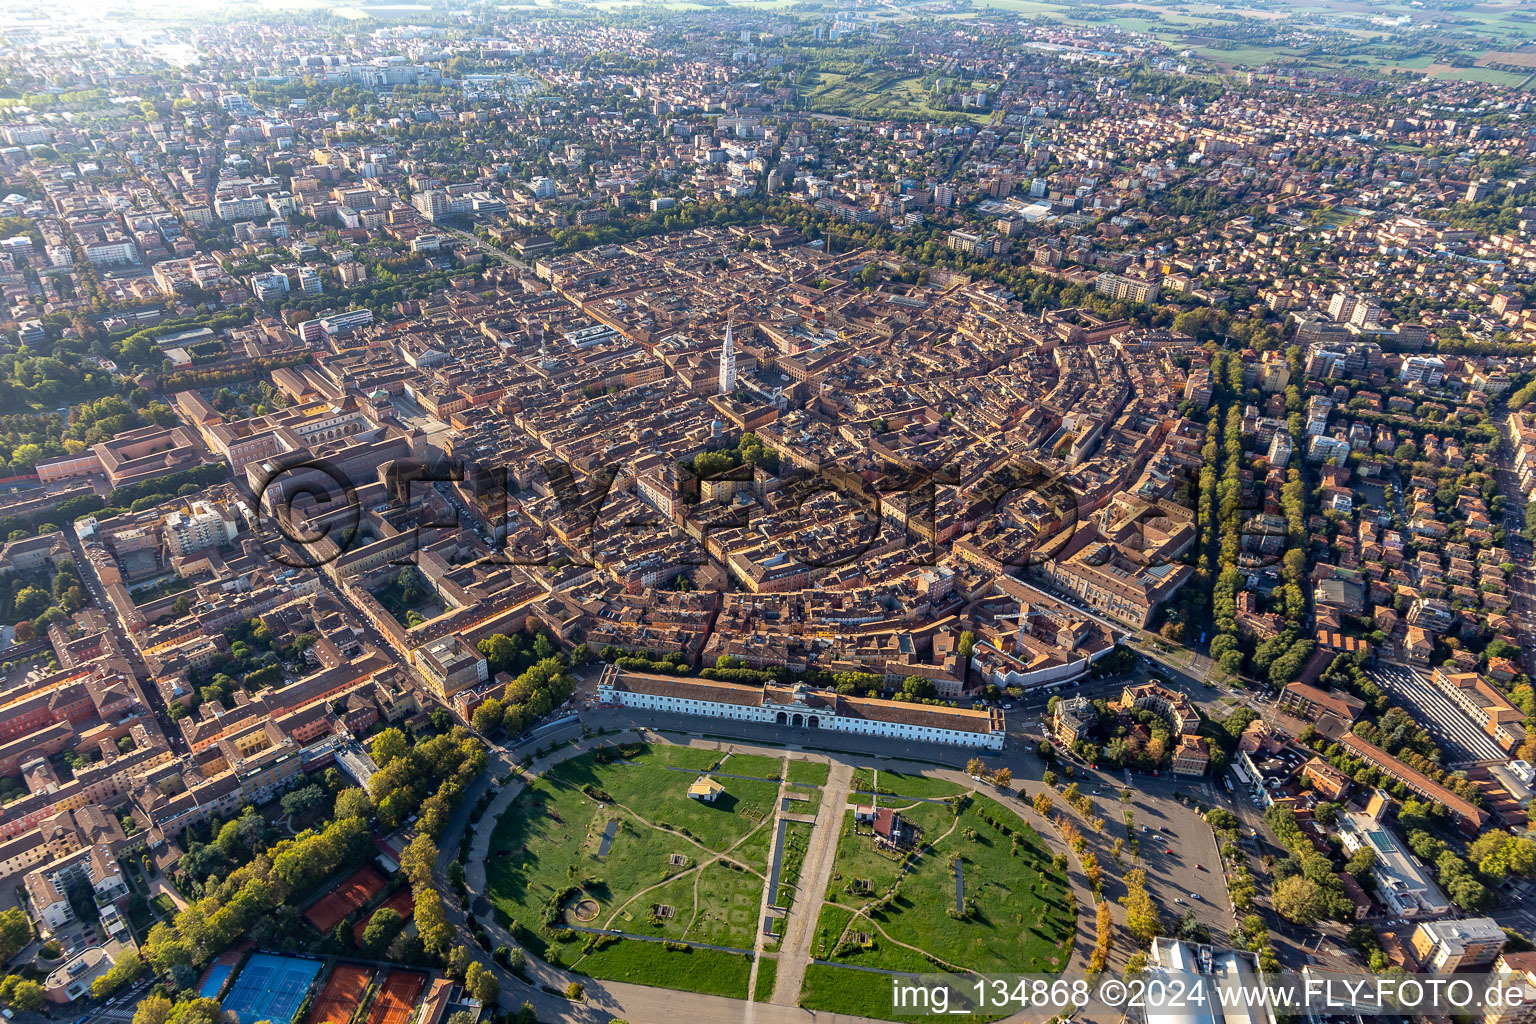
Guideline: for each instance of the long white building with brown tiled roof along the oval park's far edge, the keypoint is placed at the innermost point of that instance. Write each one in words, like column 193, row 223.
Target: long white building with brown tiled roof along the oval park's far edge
column 804, row 709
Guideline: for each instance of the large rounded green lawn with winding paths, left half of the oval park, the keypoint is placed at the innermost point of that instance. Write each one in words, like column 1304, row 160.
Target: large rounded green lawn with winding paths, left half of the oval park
column 549, row 842
